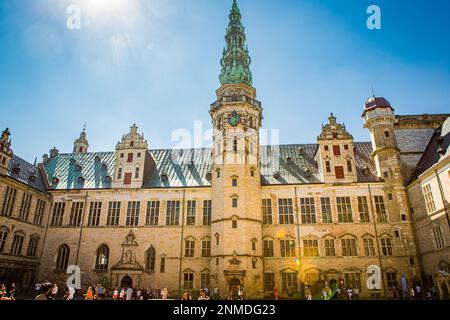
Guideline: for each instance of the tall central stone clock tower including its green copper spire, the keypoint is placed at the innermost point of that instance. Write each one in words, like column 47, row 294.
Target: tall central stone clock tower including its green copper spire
column 236, row 227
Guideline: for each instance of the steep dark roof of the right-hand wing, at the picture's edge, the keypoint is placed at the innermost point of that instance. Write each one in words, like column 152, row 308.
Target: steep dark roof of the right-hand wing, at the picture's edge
column 437, row 150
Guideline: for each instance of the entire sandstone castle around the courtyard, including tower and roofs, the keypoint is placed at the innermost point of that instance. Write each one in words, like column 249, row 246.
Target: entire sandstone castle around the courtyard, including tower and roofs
column 294, row 217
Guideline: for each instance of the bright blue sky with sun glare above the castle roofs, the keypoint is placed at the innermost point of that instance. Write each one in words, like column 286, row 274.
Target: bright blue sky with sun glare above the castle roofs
column 156, row 63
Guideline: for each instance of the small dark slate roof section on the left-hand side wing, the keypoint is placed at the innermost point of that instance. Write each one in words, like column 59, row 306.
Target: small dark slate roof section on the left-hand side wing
column 25, row 172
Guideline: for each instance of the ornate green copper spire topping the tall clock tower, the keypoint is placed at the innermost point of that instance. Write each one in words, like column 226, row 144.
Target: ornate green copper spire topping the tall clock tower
column 235, row 60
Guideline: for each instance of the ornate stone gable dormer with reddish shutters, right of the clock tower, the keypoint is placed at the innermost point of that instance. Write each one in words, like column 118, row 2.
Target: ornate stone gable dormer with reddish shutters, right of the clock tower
column 335, row 155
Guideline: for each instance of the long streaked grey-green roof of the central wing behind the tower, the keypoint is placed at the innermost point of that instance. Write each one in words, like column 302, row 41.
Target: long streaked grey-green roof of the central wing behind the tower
column 284, row 164
